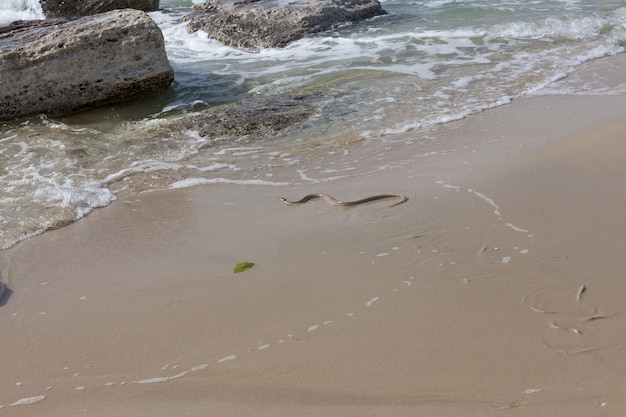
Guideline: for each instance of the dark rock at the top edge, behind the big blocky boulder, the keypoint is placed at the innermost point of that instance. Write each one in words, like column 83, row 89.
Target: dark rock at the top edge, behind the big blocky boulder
column 73, row 8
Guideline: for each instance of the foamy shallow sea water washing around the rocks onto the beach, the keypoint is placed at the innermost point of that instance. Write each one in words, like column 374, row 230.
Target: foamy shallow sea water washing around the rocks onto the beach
column 424, row 63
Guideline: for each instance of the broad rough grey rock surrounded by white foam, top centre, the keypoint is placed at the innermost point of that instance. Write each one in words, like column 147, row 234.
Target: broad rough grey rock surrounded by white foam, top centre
column 256, row 24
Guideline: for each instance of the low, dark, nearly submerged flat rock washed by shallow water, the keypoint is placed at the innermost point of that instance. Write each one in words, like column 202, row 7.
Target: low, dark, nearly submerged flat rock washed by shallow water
column 252, row 119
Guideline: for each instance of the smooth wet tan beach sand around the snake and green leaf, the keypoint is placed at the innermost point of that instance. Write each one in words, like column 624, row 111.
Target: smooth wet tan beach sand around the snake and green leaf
column 496, row 290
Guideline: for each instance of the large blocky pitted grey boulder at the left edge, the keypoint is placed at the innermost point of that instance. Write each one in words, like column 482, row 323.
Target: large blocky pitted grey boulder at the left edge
column 59, row 67
